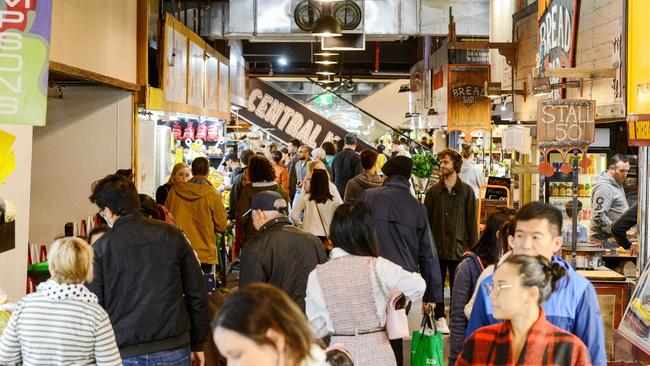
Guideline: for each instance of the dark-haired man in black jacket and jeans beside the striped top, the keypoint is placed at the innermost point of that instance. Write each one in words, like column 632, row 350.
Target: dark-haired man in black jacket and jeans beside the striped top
column 148, row 280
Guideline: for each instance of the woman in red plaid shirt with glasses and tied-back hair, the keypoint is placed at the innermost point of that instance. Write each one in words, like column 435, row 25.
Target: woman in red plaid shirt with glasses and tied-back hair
column 521, row 285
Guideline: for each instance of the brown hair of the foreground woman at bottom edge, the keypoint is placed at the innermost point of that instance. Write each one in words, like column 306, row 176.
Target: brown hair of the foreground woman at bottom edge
column 254, row 310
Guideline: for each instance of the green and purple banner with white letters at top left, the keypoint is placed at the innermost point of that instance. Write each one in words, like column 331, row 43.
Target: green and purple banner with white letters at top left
column 24, row 49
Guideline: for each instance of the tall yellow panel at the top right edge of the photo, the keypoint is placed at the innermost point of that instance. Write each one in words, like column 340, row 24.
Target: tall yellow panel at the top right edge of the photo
column 638, row 56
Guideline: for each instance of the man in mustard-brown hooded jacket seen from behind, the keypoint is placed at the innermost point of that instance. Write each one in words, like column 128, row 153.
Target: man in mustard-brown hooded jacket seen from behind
column 199, row 212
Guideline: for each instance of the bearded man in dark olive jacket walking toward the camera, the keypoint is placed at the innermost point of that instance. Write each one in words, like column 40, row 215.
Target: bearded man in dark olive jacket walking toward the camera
column 451, row 207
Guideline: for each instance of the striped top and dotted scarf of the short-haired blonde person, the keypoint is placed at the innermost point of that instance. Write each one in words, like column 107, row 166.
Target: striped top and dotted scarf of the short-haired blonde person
column 59, row 325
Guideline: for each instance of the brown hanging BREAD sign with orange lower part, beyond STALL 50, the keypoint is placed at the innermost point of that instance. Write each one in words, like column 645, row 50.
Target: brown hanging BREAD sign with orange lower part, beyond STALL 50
column 468, row 109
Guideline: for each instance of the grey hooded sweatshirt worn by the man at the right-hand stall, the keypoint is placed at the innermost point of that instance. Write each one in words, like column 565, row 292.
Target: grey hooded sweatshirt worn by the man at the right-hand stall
column 608, row 203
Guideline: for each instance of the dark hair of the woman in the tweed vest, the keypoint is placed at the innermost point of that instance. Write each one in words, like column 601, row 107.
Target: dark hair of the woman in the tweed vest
column 353, row 229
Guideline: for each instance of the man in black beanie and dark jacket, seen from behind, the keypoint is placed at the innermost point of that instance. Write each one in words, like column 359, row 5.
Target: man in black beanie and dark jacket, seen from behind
column 403, row 232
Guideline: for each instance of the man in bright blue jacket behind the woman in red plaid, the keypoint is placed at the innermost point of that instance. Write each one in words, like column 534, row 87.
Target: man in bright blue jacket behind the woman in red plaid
column 573, row 306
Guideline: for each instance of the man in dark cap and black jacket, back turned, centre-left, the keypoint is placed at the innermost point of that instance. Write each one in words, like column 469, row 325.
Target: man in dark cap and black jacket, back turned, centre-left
column 280, row 253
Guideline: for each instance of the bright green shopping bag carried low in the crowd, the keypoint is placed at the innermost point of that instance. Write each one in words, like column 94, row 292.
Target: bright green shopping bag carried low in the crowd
column 426, row 344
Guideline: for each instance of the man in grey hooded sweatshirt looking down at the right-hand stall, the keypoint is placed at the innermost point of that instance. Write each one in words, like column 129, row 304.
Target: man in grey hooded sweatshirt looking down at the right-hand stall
column 608, row 200
